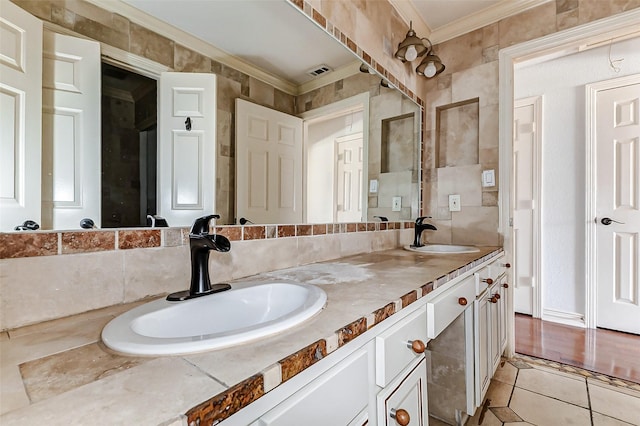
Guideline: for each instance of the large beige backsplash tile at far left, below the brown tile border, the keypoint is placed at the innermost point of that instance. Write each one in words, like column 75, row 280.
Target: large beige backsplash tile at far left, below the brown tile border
column 42, row 288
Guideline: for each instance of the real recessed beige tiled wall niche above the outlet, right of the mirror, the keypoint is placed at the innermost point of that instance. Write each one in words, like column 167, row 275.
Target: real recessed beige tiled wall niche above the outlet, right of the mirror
column 457, row 134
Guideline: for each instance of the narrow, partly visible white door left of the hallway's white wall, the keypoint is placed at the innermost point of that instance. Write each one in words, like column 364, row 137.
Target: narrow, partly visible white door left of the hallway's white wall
column 525, row 140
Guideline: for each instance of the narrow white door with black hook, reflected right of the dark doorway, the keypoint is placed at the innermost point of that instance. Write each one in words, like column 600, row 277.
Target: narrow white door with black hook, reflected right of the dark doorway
column 187, row 147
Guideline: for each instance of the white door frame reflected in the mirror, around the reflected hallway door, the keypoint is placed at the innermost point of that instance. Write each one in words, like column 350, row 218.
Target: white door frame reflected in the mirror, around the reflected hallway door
column 337, row 109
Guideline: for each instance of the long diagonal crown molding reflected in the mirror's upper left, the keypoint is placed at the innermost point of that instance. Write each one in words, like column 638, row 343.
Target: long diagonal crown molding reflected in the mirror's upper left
column 185, row 39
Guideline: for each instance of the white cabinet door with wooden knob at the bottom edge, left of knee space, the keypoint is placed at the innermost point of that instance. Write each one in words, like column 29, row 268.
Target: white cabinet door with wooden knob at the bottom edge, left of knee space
column 409, row 393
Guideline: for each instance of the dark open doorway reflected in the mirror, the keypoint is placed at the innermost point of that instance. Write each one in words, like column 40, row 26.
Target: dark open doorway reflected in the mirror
column 129, row 148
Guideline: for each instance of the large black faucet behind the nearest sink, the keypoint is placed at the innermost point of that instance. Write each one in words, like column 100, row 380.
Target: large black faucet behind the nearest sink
column 200, row 244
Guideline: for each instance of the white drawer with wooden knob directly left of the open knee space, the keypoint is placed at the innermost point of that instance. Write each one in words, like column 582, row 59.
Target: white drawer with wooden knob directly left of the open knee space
column 394, row 349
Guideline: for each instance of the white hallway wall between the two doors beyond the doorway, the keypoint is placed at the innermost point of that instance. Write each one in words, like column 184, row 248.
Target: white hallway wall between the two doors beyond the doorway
column 561, row 83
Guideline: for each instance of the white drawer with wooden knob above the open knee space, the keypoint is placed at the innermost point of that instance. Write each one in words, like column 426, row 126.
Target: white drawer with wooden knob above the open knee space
column 446, row 307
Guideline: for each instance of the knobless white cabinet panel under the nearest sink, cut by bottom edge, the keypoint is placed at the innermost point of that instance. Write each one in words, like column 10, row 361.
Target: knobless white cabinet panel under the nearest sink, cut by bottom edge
column 335, row 398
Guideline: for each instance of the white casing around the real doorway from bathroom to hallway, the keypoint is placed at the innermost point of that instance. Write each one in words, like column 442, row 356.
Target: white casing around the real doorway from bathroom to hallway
column 559, row 43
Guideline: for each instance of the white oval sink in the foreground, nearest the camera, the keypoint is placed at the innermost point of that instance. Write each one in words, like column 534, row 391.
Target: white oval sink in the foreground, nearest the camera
column 214, row 321
